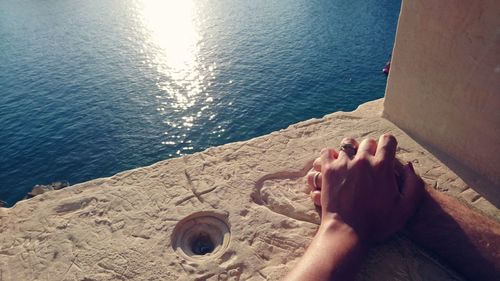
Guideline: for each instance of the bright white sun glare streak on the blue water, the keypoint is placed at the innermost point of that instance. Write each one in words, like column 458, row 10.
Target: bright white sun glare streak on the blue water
column 172, row 48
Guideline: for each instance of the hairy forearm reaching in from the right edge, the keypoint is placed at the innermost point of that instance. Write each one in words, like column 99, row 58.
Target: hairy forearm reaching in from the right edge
column 468, row 241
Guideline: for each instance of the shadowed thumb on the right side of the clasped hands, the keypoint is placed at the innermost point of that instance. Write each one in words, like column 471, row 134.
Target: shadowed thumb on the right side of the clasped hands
column 412, row 190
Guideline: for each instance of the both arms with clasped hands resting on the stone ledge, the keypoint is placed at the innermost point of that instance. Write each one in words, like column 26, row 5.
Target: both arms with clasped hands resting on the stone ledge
column 363, row 202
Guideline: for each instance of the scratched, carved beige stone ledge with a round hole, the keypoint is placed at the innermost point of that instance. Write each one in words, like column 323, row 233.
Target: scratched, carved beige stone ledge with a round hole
column 246, row 196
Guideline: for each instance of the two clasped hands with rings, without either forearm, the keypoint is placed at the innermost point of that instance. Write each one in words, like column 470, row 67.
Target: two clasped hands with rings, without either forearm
column 359, row 183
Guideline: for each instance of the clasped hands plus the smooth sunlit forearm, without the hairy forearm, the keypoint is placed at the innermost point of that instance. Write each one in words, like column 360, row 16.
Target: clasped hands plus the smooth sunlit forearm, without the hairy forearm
column 365, row 195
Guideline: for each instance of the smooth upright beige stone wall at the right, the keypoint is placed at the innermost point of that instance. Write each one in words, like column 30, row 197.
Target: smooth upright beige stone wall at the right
column 444, row 85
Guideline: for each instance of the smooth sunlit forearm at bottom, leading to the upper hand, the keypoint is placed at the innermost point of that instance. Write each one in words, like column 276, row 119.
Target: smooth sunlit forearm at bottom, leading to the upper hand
column 334, row 254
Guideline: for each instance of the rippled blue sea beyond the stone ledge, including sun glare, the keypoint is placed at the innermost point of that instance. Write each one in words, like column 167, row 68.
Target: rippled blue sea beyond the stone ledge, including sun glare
column 92, row 87
